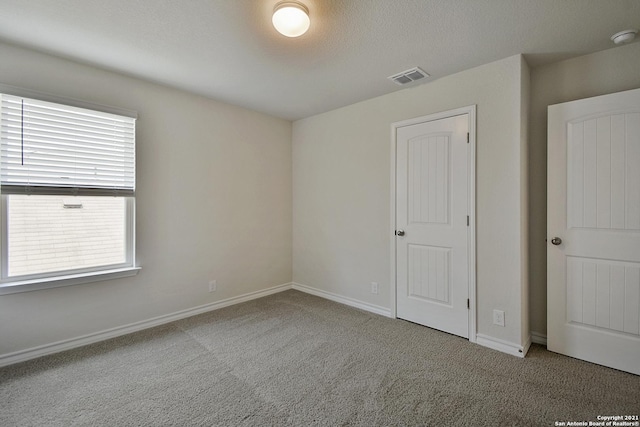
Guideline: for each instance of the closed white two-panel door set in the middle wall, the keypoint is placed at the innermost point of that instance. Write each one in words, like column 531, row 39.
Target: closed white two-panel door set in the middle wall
column 431, row 218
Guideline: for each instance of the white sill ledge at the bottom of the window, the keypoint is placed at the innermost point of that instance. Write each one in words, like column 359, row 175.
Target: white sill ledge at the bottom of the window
column 68, row 280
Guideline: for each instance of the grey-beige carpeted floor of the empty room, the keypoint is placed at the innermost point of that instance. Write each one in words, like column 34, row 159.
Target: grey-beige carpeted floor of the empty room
column 292, row 359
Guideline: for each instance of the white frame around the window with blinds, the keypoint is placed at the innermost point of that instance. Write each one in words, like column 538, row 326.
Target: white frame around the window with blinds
column 38, row 281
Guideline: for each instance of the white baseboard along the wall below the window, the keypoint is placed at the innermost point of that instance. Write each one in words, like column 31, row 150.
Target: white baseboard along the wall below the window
column 56, row 347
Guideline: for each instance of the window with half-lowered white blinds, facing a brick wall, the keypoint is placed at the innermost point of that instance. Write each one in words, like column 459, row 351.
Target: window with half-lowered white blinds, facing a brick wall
column 67, row 183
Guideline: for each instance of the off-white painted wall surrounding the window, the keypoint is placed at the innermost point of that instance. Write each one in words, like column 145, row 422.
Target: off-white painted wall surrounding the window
column 213, row 202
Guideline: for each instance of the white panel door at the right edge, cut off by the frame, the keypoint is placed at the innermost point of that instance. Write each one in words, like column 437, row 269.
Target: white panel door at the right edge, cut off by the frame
column 593, row 223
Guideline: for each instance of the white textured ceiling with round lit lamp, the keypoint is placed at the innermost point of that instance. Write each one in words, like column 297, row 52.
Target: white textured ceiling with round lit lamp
column 229, row 51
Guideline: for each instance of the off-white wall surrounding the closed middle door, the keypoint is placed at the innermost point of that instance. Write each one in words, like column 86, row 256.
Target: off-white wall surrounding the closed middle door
column 341, row 194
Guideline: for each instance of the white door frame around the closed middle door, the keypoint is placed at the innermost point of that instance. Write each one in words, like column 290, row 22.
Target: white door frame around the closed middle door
column 471, row 186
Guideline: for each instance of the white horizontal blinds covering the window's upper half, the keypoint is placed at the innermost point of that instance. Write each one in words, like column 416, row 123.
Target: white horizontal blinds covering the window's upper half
column 50, row 148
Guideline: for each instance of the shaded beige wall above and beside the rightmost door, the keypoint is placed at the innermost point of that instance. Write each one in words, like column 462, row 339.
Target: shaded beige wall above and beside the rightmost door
column 608, row 71
